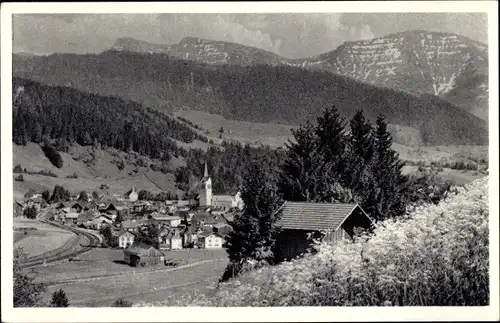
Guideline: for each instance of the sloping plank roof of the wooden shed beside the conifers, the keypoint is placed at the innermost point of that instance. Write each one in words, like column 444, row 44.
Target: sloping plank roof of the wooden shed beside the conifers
column 314, row 216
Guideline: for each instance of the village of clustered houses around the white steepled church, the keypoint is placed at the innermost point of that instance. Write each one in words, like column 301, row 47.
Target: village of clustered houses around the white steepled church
column 199, row 223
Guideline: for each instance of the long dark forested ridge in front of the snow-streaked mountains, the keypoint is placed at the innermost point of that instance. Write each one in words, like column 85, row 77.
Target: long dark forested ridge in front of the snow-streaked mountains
column 261, row 93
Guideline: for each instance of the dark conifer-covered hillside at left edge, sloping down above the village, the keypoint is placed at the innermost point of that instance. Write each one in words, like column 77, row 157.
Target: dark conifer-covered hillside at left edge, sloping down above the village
column 68, row 115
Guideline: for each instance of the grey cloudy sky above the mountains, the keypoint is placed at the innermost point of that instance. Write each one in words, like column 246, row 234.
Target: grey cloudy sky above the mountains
column 292, row 35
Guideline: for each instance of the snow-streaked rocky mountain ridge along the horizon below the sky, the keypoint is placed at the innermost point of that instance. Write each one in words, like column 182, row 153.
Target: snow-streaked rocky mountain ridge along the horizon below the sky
column 446, row 65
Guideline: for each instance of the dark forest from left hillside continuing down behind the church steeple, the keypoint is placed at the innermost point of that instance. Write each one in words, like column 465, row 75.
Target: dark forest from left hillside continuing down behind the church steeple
column 65, row 116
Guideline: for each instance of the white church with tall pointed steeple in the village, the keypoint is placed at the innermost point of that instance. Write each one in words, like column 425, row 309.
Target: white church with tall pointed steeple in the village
column 222, row 202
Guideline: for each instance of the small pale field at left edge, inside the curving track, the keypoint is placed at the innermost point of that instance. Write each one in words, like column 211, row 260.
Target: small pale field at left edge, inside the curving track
column 45, row 238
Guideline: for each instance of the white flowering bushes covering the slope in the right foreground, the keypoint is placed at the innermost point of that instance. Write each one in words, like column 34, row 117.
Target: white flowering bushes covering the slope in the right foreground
column 437, row 255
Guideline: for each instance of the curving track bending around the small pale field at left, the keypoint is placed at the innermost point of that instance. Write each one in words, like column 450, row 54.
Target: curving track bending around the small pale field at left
column 85, row 242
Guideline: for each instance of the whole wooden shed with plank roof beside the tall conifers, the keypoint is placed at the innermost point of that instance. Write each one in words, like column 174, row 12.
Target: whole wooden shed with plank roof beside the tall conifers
column 301, row 221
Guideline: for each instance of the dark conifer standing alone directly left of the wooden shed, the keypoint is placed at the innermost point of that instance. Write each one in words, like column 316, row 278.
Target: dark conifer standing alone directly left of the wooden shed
column 255, row 230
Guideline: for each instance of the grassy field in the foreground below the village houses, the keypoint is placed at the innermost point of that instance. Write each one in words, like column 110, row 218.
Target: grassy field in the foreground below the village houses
column 101, row 277
